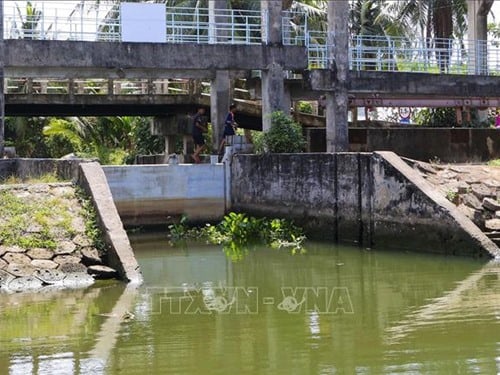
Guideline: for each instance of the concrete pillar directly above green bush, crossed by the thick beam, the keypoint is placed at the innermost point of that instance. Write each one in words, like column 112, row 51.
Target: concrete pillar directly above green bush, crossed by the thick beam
column 273, row 84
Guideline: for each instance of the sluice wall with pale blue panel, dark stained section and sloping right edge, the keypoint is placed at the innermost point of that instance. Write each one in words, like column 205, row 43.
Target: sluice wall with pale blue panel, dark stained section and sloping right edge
column 370, row 199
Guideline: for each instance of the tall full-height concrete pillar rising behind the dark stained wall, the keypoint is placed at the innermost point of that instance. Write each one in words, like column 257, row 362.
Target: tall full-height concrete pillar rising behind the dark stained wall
column 337, row 103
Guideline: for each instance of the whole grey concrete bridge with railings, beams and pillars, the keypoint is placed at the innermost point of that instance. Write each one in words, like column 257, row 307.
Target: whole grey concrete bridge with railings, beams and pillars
column 222, row 48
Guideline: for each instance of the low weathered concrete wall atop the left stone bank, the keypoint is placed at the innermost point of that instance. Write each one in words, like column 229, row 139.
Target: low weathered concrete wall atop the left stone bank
column 66, row 169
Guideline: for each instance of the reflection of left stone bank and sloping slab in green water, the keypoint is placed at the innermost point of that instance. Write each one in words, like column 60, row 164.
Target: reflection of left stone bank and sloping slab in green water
column 61, row 331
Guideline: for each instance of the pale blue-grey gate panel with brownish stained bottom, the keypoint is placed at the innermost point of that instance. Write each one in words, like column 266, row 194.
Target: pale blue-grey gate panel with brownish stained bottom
column 156, row 194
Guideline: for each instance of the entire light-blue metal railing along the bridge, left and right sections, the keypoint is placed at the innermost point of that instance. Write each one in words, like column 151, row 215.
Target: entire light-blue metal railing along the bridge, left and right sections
column 92, row 20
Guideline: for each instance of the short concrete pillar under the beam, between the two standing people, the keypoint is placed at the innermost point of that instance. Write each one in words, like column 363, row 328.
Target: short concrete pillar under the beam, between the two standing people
column 220, row 99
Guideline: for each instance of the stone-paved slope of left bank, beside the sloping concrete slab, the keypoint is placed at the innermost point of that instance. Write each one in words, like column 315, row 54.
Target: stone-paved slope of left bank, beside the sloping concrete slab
column 74, row 262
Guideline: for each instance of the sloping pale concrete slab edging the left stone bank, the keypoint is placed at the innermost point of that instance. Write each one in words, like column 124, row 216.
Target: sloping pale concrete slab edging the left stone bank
column 120, row 255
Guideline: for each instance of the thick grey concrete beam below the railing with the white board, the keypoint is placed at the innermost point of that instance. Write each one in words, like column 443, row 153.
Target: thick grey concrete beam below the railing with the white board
column 116, row 59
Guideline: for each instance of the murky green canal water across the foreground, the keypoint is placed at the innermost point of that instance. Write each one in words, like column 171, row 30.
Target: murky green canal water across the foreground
column 333, row 310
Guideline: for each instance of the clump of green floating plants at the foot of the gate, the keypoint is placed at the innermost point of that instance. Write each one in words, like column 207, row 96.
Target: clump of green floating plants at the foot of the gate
column 238, row 233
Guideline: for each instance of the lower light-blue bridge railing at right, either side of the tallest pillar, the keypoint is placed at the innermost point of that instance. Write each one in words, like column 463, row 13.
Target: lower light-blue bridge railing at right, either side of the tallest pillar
column 393, row 54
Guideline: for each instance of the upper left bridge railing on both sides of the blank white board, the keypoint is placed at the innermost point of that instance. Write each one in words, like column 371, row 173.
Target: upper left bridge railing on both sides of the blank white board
column 89, row 21
